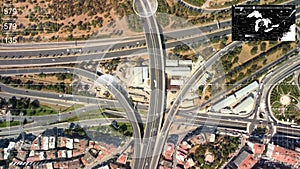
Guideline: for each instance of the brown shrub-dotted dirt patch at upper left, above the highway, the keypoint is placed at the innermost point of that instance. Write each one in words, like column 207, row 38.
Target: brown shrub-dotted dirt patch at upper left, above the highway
column 66, row 17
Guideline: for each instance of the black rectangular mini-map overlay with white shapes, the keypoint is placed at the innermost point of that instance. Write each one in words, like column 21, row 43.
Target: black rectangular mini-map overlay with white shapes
column 263, row 22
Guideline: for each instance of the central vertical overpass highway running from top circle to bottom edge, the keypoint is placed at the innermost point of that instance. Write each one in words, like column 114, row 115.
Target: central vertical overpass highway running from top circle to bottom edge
column 157, row 58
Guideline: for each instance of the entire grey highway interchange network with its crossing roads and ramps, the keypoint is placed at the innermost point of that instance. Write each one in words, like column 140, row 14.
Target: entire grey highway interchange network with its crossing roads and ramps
column 149, row 140
